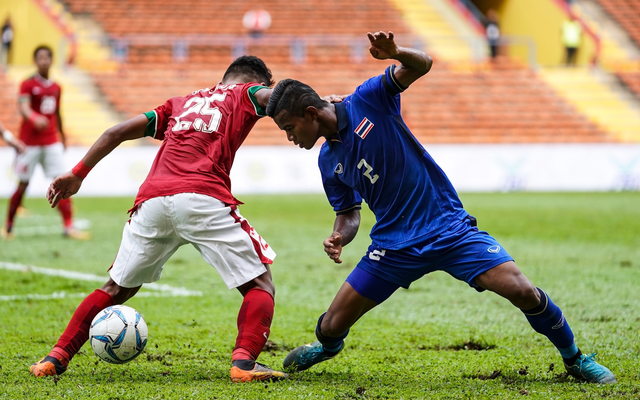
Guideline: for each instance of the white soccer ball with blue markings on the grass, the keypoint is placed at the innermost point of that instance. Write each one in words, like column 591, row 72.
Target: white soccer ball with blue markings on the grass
column 118, row 334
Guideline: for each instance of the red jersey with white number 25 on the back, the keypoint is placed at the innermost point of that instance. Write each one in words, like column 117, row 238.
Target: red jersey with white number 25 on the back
column 201, row 133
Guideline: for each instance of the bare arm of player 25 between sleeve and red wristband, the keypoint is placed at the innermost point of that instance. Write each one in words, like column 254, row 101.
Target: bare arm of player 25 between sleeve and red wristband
column 113, row 137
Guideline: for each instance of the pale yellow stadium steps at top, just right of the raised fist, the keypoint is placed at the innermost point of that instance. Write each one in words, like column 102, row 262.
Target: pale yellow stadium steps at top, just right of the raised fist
column 440, row 26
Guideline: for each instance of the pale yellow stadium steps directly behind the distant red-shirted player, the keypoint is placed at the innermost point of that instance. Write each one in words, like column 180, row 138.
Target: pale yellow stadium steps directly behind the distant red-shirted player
column 84, row 113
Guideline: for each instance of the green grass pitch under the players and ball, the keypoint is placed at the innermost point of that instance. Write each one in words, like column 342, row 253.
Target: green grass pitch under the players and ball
column 438, row 340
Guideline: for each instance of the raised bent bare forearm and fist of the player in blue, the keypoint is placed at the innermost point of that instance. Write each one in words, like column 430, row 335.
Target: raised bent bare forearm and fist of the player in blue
column 413, row 63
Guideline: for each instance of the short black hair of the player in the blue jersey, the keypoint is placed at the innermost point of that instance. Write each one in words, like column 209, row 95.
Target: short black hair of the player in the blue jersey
column 294, row 97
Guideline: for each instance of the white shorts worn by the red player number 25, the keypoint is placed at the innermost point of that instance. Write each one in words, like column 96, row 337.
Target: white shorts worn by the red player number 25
column 160, row 225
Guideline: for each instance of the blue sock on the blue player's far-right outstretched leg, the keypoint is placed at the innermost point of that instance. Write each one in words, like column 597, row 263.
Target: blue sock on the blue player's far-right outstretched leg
column 547, row 319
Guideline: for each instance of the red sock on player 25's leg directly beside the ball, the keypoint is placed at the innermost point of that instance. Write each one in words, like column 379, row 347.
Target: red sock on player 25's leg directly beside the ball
column 77, row 332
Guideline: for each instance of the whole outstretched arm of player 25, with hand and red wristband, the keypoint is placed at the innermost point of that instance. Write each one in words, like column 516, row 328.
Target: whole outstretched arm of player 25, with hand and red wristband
column 68, row 184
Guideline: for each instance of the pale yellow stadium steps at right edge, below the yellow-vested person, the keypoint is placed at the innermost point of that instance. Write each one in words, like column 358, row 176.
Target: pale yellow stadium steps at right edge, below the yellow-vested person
column 597, row 95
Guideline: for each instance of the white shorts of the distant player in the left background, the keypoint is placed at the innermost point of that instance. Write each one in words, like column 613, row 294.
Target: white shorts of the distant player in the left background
column 51, row 158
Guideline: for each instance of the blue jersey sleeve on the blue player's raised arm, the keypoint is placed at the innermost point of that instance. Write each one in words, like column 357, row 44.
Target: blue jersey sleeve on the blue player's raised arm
column 382, row 92
